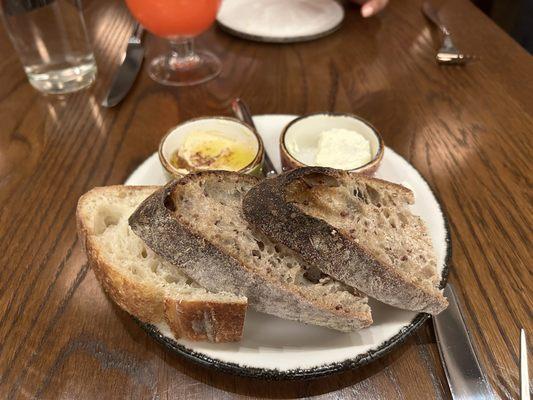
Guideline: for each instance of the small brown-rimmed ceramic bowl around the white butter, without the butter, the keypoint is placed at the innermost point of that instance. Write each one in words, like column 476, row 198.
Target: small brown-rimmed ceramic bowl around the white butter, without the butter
column 303, row 134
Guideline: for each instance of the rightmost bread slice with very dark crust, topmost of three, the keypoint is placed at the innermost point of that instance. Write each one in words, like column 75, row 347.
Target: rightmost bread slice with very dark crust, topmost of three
column 356, row 229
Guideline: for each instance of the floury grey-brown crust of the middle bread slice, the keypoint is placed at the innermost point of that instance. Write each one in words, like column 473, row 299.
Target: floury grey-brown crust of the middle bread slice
column 157, row 222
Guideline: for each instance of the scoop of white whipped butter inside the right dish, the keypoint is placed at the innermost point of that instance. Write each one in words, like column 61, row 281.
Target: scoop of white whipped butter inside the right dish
column 342, row 149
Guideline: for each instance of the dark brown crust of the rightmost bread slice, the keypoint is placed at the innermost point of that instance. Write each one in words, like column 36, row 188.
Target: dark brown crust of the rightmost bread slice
column 266, row 207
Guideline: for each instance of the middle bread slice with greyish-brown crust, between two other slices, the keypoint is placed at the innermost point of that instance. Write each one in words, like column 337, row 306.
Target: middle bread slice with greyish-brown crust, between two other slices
column 197, row 224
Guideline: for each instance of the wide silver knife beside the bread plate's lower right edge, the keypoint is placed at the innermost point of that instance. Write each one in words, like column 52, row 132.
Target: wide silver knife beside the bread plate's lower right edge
column 463, row 372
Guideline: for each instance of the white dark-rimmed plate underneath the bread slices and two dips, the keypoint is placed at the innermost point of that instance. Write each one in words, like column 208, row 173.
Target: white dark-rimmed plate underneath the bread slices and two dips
column 275, row 348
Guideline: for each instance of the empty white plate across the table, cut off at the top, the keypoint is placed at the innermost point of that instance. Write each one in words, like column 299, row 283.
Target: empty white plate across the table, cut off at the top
column 284, row 21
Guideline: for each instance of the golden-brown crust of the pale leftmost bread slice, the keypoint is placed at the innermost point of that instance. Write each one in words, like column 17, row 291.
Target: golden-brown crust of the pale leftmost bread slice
column 189, row 317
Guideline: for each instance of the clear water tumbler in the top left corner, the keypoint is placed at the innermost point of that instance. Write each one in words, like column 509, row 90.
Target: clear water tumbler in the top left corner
column 52, row 43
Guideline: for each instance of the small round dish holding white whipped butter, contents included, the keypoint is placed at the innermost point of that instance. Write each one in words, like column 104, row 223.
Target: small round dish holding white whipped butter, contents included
column 341, row 141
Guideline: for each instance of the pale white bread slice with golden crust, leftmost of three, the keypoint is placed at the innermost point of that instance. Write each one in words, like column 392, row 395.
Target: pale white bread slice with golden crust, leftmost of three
column 141, row 282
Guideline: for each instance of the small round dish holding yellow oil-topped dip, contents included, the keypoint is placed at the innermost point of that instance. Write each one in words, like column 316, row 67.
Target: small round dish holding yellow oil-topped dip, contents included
column 211, row 143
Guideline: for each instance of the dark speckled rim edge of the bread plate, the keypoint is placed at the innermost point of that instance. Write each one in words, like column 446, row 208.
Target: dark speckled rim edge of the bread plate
column 322, row 370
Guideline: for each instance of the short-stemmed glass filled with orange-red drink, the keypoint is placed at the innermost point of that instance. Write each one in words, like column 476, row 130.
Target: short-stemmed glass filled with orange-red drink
column 179, row 21
